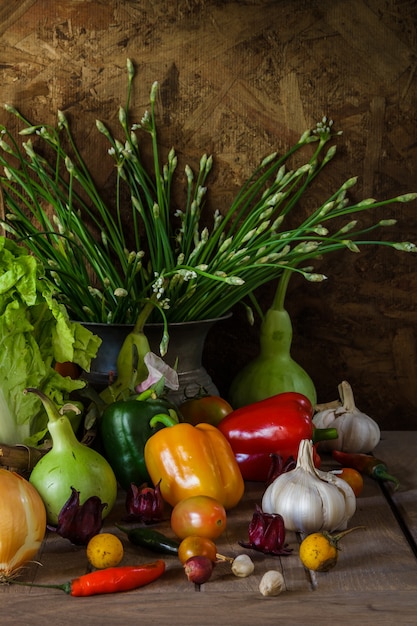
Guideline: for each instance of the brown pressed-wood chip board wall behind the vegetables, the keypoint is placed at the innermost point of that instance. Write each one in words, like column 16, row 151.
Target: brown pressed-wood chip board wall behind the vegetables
column 241, row 79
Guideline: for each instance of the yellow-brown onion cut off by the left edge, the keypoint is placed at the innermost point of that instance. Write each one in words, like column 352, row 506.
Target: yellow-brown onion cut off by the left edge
column 22, row 522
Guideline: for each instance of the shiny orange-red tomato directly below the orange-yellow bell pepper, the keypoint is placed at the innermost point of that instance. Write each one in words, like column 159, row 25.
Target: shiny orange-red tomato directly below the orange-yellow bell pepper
column 200, row 516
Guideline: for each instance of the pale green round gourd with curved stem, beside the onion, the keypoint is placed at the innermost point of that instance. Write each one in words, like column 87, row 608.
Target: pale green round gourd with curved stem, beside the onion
column 70, row 464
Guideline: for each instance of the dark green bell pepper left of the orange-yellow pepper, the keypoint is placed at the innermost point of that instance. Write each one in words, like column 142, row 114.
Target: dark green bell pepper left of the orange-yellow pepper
column 124, row 429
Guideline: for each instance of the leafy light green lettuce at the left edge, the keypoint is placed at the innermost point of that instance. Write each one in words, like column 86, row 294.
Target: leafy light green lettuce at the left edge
column 35, row 332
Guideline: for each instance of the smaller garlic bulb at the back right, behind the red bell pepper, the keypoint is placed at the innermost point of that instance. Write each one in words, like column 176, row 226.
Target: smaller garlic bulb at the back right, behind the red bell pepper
column 357, row 432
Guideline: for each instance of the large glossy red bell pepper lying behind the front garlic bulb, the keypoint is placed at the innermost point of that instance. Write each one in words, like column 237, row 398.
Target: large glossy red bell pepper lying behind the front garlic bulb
column 274, row 425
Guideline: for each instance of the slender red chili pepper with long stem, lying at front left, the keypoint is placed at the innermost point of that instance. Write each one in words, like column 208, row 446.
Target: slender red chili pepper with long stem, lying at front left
column 110, row 580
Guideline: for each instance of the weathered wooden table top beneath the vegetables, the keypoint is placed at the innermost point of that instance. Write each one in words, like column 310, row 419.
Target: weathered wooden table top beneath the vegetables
column 374, row 582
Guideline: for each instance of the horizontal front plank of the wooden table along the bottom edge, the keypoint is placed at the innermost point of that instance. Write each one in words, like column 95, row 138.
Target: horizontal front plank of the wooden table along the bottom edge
column 199, row 609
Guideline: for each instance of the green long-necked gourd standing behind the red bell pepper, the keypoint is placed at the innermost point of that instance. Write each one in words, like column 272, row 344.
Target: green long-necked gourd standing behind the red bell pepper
column 273, row 371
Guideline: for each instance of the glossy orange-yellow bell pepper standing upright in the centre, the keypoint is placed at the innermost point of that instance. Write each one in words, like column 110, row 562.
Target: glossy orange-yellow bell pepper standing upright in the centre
column 193, row 461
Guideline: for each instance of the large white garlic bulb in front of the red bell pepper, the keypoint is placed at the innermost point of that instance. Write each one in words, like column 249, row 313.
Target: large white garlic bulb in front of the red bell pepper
column 308, row 499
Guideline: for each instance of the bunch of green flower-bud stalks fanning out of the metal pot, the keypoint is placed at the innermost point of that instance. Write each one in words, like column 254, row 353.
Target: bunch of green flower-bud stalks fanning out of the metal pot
column 104, row 274
